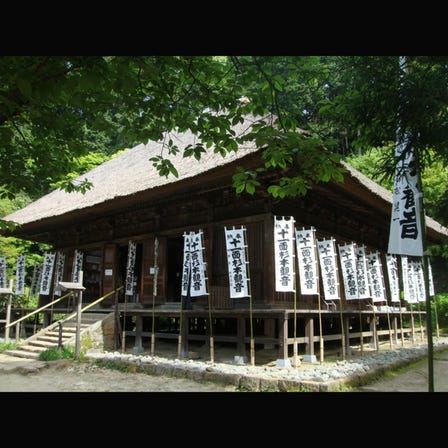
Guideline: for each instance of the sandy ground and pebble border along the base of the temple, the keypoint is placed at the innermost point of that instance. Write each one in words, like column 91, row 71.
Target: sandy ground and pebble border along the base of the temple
column 169, row 374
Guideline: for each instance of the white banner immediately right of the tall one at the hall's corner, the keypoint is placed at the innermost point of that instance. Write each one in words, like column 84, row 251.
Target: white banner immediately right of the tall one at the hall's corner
column 307, row 260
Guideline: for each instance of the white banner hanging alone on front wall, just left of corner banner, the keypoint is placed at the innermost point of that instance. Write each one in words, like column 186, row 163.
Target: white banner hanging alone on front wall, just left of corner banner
column 237, row 263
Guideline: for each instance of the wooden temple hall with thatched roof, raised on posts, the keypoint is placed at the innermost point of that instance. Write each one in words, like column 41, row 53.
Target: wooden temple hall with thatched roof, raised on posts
column 161, row 249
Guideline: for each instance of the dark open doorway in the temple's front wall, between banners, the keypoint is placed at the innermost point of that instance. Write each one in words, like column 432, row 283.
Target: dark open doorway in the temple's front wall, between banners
column 175, row 253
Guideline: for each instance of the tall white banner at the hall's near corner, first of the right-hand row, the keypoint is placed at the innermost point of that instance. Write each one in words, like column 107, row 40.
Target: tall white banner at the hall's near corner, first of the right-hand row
column 284, row 254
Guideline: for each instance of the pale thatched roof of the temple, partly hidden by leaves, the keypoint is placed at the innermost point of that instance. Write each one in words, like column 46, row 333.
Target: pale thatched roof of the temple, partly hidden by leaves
column 132, row 172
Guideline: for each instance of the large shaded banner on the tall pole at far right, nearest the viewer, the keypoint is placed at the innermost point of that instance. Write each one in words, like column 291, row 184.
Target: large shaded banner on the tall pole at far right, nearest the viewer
column 405, row 237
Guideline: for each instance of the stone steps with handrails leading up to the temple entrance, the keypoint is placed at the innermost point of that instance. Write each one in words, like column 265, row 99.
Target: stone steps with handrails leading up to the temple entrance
column 49, row 336
